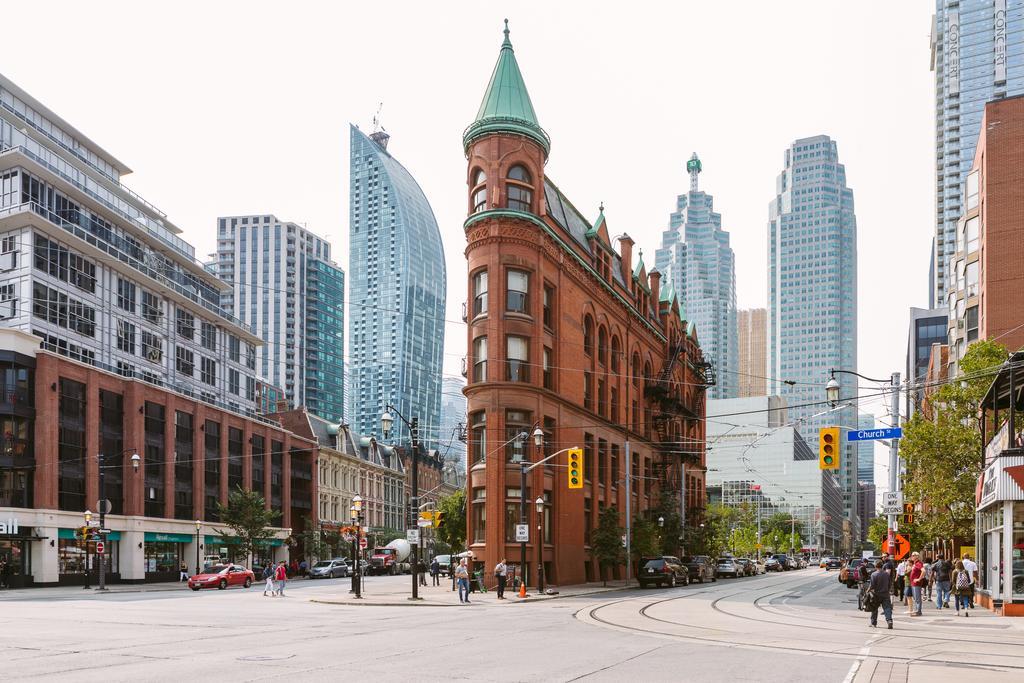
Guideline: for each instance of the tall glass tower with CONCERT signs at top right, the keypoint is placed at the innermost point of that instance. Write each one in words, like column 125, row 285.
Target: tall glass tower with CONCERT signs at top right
column 977, row 57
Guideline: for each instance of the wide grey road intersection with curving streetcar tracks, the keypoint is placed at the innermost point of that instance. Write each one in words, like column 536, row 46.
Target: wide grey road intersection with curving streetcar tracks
column 799, row 626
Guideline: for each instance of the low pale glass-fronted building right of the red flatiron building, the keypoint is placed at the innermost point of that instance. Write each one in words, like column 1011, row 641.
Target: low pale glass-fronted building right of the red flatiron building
column 767, row 464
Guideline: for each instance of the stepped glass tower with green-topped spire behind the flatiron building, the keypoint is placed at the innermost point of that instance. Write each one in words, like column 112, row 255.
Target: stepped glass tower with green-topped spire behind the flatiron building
column 697, row 261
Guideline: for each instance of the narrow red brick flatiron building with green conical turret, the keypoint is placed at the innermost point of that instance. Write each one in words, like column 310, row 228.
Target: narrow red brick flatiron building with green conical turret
column 571, row 336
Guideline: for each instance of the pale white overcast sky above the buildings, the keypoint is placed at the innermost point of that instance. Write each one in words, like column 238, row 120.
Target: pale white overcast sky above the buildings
column 241, row 108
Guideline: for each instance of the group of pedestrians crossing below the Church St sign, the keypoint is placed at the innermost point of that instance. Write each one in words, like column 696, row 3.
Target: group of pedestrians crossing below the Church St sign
column 916, row 580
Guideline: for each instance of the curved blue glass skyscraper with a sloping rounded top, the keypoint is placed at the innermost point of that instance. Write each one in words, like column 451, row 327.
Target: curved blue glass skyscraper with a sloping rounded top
column 397, row 289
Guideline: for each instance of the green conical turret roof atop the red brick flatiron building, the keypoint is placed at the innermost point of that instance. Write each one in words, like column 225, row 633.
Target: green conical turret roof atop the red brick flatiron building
column 506, row 107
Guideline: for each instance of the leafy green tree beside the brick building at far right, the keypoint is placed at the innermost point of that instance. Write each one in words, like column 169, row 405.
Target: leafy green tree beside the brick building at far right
column 943, row 455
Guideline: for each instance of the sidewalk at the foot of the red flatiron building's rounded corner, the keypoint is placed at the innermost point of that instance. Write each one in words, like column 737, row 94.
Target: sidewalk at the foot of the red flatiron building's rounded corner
column 444, row 596
